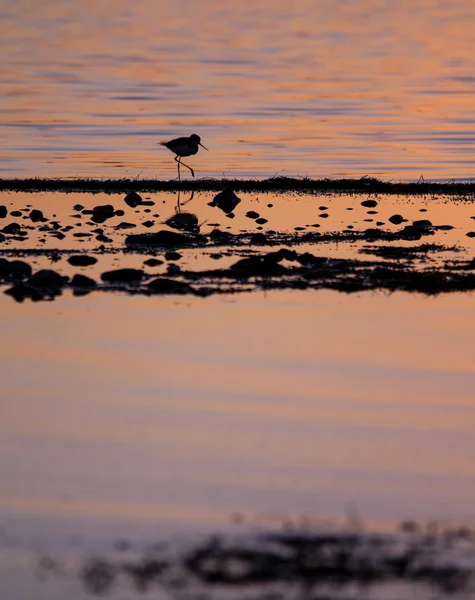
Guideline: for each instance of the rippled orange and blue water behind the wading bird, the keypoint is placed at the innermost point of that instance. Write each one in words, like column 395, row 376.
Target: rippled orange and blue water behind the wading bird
column 310, row 88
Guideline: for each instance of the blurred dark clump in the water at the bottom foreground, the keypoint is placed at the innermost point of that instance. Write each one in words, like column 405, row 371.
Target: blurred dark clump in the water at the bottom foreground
column 431, row 562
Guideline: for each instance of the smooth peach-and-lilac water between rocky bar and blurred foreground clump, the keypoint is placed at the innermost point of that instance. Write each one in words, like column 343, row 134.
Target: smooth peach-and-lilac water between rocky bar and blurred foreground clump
column 145, row 418
